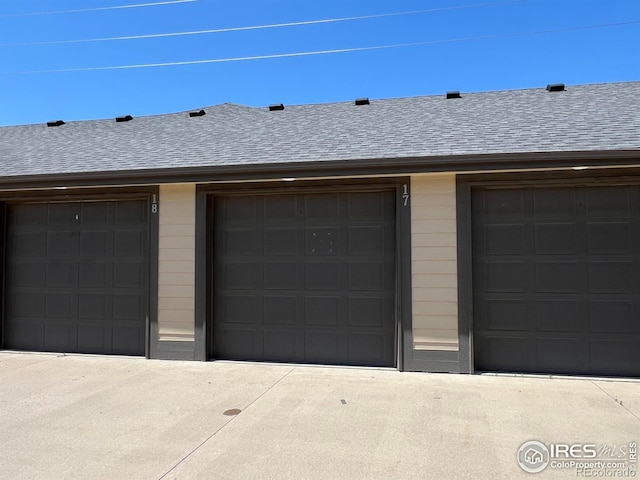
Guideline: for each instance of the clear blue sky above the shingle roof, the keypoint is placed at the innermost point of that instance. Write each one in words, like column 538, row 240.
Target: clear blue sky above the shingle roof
column 596, row 55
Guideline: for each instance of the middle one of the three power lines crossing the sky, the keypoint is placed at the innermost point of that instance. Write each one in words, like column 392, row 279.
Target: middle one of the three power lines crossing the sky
column 260, row 27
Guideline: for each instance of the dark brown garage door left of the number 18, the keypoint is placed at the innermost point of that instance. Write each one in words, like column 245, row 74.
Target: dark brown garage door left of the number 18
column 76, row 277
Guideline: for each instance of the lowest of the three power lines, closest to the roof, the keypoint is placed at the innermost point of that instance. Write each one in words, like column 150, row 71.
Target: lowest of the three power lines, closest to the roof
column 324, row 52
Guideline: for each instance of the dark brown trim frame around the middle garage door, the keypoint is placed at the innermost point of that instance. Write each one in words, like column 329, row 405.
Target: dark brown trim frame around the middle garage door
column 205, row 198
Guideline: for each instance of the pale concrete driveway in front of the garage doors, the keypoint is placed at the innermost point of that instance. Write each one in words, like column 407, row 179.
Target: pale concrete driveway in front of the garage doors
column 84, row 417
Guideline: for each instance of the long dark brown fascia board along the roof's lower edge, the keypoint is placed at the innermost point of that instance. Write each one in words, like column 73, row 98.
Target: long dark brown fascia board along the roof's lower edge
column 342, row 168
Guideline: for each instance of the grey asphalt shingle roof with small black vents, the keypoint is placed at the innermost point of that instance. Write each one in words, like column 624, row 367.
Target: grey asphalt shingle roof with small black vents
column 602, row 117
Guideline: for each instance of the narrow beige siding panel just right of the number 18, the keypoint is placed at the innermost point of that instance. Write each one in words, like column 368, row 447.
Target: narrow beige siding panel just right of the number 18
column 176, row 263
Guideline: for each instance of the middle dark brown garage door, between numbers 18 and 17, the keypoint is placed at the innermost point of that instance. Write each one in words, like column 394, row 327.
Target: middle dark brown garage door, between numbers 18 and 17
column 305, row 278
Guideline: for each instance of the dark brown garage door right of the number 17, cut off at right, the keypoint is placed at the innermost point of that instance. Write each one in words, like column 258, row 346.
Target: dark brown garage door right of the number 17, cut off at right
column 557, row 279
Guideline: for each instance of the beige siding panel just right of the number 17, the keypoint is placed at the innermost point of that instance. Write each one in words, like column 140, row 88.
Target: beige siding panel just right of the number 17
column 434, row 264
